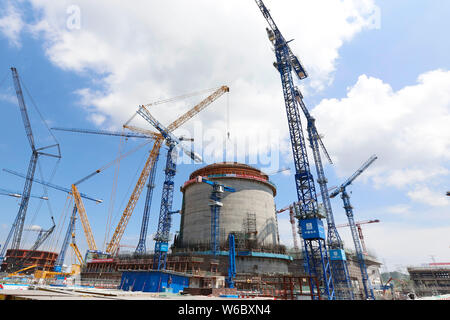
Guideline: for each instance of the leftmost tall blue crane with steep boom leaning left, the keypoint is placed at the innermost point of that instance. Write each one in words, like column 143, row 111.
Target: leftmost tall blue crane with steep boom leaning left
column 17, row 226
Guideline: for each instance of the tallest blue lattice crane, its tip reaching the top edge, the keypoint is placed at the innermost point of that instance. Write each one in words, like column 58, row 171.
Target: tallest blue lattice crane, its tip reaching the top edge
column 310, row 223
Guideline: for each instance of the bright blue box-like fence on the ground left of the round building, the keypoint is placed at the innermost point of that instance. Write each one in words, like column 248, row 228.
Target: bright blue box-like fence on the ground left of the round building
column 153, row 281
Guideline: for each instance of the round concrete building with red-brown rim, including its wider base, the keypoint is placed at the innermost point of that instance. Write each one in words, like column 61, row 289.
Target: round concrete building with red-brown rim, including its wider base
column 248, row 213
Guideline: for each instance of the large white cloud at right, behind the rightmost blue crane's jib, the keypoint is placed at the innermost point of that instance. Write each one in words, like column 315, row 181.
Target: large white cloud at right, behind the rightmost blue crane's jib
column 408, row 130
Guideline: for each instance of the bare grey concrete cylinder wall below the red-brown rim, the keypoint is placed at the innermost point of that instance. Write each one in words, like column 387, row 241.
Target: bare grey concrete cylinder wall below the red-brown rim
column 250, row 197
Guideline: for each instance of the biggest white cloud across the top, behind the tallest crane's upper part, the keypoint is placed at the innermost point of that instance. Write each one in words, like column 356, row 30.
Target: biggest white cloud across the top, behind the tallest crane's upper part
column 154, row 50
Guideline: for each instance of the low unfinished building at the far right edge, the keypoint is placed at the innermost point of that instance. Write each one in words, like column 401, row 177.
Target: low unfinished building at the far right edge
column 431, row 280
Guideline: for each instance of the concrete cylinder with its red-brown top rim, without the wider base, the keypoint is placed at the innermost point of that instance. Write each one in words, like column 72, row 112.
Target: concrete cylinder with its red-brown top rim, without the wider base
column 249, row 211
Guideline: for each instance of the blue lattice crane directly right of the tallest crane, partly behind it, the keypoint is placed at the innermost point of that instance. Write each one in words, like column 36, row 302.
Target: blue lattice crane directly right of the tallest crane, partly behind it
column 339, row 267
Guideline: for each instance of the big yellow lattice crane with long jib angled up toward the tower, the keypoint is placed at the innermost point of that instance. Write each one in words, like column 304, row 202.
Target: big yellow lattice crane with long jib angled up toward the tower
column 113, row 245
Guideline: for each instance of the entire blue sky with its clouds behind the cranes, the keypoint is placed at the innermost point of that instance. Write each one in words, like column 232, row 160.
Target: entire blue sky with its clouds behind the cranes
column 379, row 75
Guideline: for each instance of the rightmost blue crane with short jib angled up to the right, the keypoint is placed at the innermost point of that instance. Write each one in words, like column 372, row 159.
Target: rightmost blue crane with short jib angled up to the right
column 368, row 291
